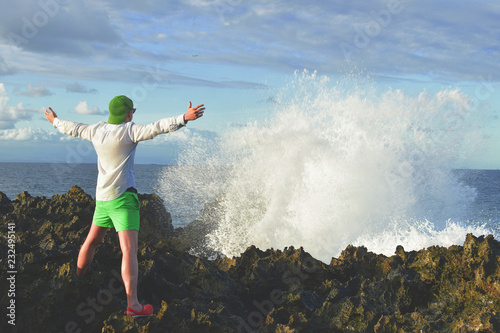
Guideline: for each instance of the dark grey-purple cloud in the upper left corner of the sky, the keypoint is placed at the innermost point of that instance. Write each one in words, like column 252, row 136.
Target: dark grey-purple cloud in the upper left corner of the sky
column 57, row 27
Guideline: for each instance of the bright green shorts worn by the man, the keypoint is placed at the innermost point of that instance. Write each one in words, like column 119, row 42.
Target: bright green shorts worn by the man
column 121, row 213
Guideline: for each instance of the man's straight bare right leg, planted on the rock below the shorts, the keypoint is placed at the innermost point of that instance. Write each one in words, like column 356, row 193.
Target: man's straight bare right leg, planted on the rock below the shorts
column 130, row 270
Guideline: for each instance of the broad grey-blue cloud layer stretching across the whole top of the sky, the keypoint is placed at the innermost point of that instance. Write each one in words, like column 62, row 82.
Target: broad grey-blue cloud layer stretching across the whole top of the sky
column 414, row 38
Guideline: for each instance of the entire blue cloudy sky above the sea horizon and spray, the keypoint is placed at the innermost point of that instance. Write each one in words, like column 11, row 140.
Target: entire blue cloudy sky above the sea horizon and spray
column 231, row 55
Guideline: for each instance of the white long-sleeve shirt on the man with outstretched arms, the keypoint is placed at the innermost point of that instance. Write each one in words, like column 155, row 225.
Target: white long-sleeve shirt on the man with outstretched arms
column 115, row 147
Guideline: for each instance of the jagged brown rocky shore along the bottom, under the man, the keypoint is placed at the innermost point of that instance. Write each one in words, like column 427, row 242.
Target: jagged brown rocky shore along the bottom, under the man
column 455, row 289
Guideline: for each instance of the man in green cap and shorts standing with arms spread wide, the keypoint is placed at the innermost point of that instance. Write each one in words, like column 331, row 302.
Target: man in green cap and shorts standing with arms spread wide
column 117, row 204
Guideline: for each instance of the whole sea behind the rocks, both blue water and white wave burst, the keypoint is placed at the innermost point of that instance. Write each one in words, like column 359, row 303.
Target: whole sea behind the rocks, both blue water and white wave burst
column 335, row 163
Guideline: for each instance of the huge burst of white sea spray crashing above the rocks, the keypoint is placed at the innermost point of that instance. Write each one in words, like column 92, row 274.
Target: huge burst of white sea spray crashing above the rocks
column 343, row 163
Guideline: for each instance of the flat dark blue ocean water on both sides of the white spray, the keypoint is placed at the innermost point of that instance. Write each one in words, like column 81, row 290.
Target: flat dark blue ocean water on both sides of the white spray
column 45, row 179
